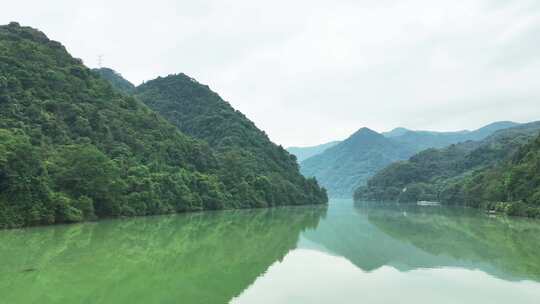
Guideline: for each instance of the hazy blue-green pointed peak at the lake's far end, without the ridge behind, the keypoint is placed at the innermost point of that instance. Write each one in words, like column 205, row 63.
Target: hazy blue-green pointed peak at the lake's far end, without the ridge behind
column 345, row 166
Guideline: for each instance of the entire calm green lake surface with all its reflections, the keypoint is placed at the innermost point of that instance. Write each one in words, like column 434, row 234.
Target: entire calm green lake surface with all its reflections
column 343, row 253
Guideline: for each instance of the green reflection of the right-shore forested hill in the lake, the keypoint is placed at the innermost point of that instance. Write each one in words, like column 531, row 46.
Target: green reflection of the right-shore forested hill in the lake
column 505, row 247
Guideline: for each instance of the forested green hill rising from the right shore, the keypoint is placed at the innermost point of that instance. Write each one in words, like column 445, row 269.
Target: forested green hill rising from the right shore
column 503, row 168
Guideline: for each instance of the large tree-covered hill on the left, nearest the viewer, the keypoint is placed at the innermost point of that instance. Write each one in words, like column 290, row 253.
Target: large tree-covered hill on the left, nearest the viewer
column 74, row 148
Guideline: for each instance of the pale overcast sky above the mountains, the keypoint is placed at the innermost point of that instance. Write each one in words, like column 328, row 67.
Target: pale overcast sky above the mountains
column 310, row 71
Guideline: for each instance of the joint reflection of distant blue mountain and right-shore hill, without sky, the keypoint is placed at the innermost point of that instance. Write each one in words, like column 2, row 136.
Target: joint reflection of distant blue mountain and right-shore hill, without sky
column 408, row 237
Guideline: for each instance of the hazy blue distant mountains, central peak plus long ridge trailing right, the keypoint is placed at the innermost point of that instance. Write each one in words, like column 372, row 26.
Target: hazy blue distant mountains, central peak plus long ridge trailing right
column 349, row 164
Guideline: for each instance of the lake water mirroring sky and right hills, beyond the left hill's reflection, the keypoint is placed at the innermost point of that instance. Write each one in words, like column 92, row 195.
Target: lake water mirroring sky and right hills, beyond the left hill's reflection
column 406, row 254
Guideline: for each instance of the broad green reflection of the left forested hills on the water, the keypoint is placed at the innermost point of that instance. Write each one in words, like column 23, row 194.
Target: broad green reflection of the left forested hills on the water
column 192, row 258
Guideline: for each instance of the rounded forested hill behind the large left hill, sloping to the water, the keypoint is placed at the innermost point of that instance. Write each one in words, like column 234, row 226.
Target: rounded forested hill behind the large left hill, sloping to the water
column 255, row 169
